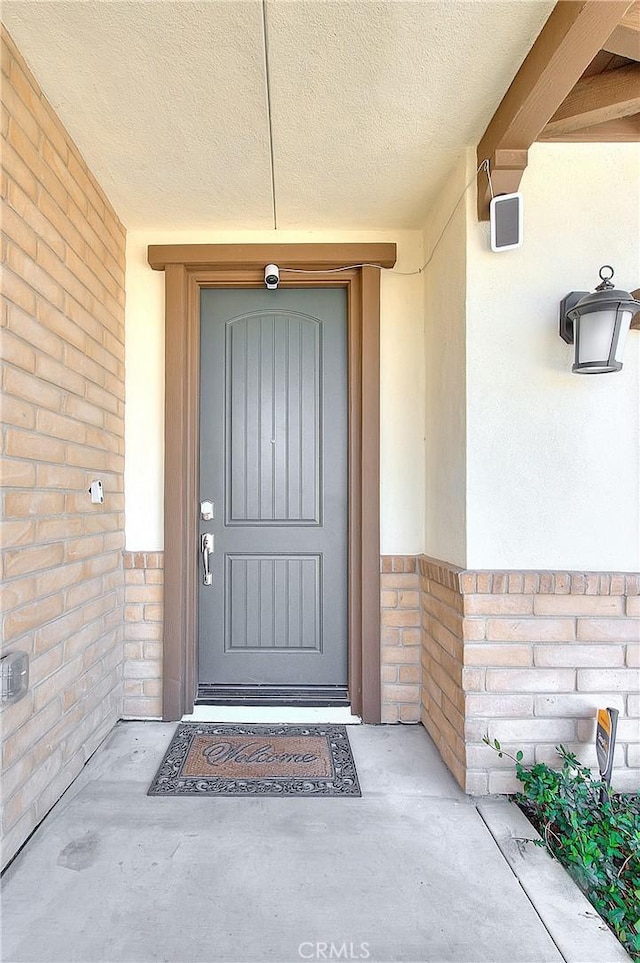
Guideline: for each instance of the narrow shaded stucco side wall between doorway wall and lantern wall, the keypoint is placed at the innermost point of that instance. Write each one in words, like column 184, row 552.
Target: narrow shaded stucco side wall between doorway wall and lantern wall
column 445, row 386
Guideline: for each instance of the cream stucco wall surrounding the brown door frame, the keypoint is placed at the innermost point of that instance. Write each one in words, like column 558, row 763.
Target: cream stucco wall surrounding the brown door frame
column 401, row 375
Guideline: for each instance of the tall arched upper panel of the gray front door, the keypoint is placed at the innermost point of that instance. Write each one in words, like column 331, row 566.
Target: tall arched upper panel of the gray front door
column 273, row 419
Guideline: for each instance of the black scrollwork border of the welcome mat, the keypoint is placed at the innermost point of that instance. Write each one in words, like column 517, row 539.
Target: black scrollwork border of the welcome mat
column 170, row 781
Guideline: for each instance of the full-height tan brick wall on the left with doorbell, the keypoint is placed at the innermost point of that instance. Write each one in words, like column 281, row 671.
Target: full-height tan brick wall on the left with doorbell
column 63, row 409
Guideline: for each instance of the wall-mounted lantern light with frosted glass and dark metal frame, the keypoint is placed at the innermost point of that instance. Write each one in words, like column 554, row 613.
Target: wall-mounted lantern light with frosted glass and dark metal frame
column 597, row 324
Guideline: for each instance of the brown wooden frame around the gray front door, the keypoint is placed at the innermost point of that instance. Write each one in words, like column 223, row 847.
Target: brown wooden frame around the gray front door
column 188, row 268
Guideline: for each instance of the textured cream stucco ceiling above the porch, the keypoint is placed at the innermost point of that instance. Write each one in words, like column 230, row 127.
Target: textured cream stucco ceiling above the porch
column 371, row 101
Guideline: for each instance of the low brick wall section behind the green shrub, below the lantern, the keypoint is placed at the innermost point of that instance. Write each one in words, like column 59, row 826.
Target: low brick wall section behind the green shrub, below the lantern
column 544, row 651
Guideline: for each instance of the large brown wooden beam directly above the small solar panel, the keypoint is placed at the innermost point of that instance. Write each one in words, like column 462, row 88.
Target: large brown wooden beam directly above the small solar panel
column 568, row 42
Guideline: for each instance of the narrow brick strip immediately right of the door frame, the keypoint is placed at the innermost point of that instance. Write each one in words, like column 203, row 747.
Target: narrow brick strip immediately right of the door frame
column 400, row 643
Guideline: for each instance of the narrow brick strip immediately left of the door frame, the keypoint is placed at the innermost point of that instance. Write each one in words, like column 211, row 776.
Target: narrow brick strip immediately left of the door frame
column 143, row 634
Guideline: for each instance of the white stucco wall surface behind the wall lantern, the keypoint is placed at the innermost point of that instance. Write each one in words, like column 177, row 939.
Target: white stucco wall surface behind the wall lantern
column 553, row 458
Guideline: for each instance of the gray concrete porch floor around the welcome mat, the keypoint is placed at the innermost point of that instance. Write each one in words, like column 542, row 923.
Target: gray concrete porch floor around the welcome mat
column 409, row 872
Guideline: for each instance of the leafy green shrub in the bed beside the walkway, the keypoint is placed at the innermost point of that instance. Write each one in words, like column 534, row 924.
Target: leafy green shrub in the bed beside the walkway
column 593, row 832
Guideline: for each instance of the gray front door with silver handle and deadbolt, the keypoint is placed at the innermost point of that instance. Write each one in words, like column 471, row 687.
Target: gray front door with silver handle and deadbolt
column 273, row 460
